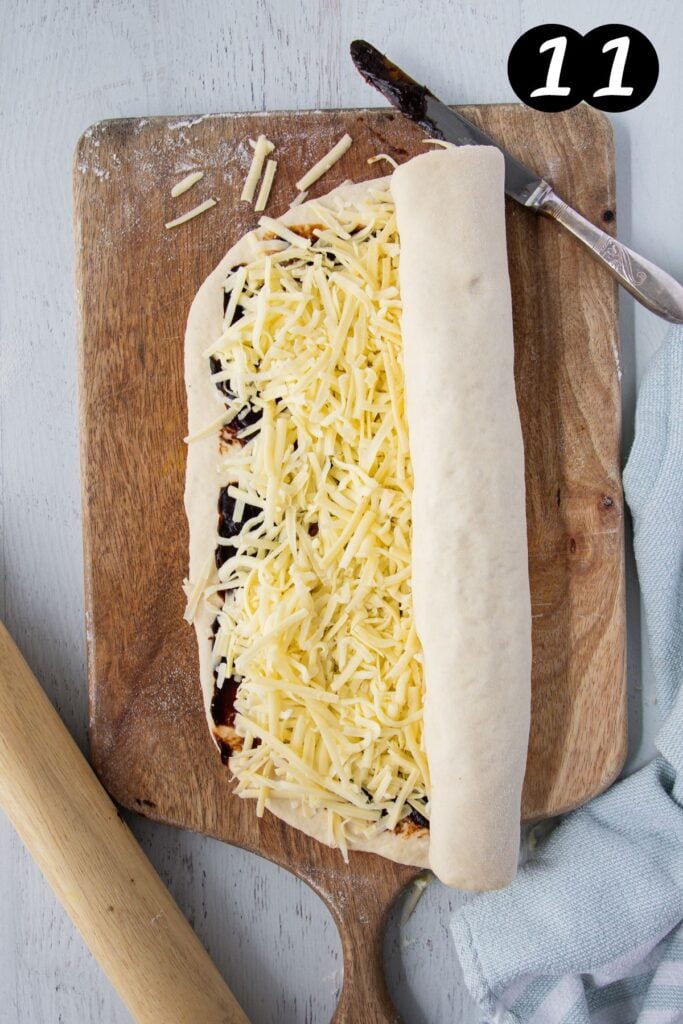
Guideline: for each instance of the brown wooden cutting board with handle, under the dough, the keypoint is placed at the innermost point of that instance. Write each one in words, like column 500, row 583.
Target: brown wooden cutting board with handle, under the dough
column 136, row 283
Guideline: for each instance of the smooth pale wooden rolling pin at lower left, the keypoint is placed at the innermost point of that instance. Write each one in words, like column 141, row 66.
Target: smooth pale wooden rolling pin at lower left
column 94, row 864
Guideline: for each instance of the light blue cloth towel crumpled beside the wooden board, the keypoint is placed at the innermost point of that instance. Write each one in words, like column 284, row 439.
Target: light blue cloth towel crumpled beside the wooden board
column 591, row 930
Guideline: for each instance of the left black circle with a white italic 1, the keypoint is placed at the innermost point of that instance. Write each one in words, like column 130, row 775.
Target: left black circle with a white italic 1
column 545, row 68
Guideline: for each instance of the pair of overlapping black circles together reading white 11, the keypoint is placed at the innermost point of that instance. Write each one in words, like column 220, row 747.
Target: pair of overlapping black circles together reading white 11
column 614, row 68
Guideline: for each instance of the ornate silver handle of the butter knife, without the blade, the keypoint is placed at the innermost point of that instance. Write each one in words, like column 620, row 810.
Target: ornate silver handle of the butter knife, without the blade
column 648, row 283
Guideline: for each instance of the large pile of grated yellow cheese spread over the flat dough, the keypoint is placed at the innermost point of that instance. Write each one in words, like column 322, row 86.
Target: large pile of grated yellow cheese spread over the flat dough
column 314, row 607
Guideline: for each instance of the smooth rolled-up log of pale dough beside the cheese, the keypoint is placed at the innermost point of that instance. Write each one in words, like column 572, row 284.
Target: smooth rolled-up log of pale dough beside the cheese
column 471, row 576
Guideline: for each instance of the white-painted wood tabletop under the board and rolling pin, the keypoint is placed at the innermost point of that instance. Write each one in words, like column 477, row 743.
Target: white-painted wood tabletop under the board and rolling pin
column 65, row 64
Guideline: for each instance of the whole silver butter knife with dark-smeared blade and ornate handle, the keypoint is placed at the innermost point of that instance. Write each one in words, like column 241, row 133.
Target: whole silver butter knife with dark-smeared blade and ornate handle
column 657, row 290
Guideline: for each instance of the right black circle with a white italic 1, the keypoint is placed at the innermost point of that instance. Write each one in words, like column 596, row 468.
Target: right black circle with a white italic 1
column 621, row 68
